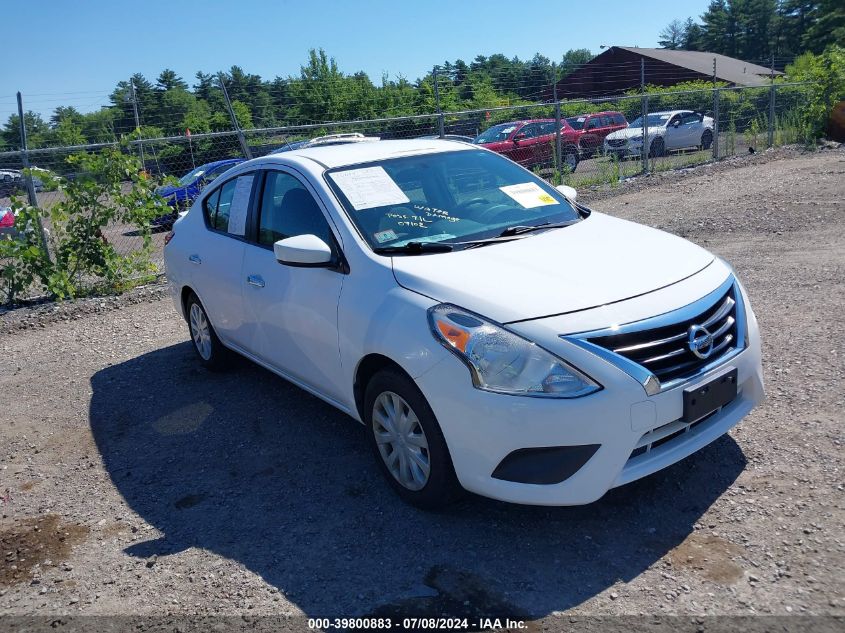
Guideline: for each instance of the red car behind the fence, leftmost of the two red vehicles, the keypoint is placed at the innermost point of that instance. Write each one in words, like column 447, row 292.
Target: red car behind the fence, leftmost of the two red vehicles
column 530, row 142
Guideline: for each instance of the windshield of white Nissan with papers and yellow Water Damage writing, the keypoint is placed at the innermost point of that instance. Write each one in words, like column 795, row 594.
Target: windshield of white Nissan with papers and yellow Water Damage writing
column 448, row 197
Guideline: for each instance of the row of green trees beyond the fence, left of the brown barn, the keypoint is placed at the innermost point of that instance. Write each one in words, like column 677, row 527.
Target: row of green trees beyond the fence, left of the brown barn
column 321, row 92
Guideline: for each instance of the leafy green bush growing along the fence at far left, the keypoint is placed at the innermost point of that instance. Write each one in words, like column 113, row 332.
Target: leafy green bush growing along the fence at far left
column 108, row 189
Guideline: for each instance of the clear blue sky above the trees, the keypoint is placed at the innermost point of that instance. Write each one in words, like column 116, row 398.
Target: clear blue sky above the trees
column 73, row 53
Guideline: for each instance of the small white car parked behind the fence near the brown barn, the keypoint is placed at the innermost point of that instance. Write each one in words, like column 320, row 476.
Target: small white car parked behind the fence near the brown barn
column 667, row 131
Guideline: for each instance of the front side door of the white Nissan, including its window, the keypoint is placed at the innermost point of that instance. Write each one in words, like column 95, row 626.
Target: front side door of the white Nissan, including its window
column 293, row 311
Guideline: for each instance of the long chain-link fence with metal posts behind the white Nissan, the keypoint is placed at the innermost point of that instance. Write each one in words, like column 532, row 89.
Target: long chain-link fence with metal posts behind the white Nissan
column 576, row 142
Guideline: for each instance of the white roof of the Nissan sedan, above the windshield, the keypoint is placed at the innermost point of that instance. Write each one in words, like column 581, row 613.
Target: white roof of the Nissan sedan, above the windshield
column 330, row 156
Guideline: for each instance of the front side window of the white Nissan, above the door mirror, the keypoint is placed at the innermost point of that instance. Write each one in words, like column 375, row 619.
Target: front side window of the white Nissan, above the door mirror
column 288, row 209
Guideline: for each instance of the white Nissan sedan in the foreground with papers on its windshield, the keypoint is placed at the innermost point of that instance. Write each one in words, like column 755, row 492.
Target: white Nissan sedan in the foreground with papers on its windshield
column 489, row 332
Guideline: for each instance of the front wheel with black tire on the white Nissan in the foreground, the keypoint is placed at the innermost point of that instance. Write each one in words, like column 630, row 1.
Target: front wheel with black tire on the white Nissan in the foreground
column 393, row 407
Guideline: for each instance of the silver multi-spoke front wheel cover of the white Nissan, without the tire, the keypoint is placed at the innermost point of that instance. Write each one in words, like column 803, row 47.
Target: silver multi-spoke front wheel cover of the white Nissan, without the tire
column 401, row 440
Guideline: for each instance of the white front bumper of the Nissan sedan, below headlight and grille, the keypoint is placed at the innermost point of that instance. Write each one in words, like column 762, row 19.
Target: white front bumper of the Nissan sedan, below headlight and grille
column 482, row 428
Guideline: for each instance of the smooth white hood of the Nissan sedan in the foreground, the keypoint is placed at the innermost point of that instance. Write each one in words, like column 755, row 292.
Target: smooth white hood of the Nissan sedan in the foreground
column 597, row 261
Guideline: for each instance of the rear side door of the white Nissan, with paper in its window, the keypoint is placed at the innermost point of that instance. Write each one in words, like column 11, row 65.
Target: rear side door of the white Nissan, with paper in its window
column 217, row 256
